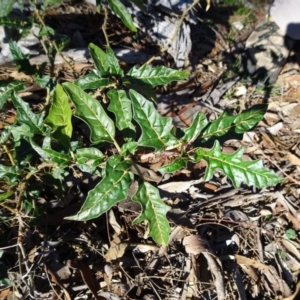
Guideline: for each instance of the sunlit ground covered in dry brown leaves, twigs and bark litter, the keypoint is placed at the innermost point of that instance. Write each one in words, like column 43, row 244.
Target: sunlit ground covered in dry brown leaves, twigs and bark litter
column 243, row 242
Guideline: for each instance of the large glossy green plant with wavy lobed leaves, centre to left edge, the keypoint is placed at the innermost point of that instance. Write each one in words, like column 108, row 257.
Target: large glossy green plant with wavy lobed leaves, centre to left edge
column 120, row 113
